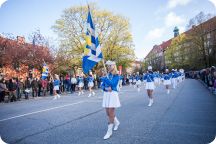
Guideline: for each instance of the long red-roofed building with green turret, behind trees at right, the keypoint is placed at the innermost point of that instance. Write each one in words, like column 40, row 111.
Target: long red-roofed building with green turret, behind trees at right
column 194, row 49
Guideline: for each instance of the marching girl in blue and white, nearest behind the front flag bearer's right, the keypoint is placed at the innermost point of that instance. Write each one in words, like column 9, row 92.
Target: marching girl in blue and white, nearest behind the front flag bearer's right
column 150, row 86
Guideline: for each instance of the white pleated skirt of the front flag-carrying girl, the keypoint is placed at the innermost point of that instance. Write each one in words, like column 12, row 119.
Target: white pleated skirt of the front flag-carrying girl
column 111, row 100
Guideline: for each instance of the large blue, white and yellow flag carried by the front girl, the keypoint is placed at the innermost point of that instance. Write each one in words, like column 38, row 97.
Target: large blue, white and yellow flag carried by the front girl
column 92, row 51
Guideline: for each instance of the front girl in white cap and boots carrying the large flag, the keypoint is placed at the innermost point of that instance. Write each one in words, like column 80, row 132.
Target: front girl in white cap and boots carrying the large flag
column 111, row 98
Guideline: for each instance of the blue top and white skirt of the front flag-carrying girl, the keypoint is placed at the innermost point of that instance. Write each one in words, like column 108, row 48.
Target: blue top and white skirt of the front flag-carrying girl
column 110, row 98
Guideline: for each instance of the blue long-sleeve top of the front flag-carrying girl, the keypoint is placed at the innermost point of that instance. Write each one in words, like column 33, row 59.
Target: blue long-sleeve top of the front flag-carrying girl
column 110, row 81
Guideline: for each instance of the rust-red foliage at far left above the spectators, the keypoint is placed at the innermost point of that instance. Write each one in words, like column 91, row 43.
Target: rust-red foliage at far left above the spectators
column 21, row 56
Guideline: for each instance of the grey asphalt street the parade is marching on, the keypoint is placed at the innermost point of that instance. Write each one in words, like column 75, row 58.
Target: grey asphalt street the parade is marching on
column 185, row 116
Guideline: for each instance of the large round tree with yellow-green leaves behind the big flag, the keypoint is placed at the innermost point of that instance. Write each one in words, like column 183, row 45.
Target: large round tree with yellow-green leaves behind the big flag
column 113, row 32
